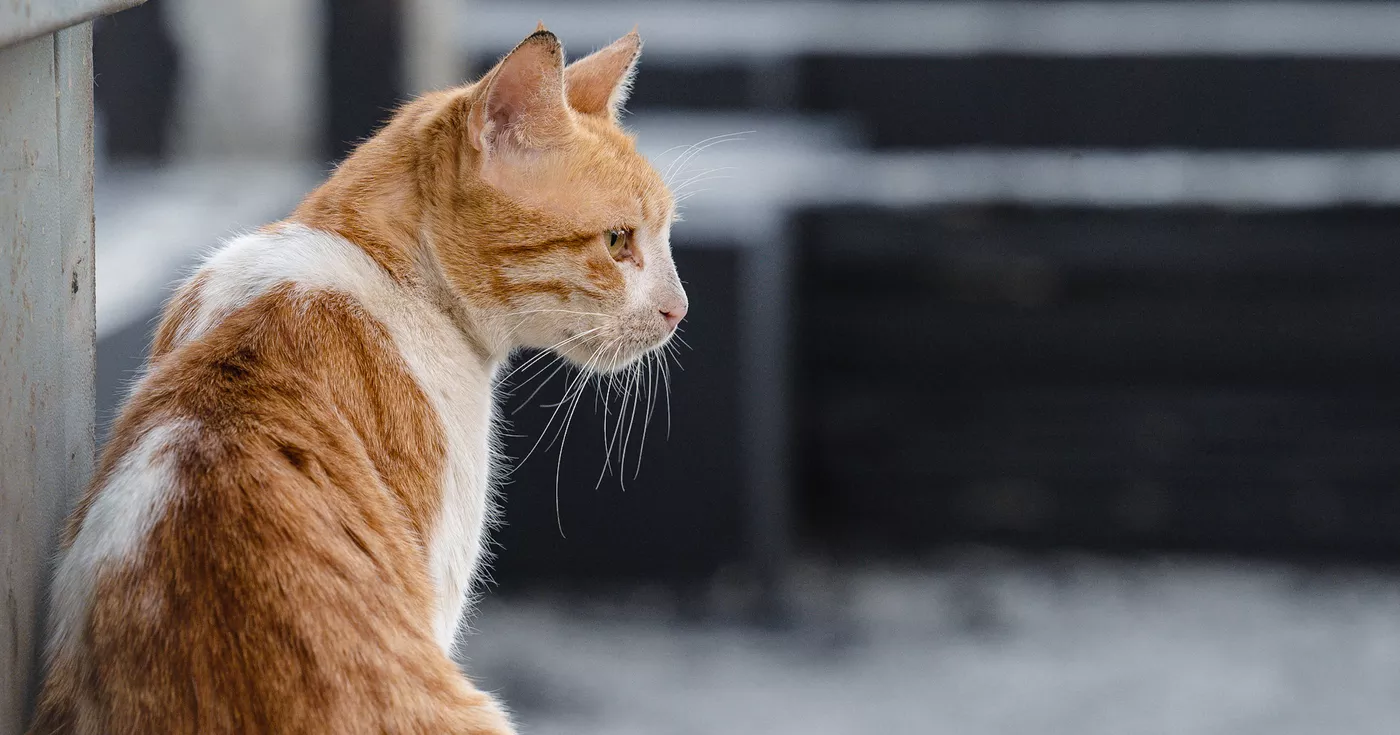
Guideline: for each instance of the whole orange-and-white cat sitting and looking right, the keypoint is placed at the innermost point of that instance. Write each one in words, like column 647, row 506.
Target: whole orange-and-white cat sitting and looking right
column 285, row 528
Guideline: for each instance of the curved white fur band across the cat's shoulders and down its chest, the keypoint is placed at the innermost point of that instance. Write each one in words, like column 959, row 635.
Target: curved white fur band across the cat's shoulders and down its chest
column 457, row 384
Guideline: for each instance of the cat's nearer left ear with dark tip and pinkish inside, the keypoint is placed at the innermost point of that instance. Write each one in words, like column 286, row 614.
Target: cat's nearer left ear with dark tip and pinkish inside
column 523, row 100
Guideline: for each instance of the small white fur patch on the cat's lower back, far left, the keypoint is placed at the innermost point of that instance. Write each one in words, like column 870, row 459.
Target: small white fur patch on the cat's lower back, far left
column 124, row 512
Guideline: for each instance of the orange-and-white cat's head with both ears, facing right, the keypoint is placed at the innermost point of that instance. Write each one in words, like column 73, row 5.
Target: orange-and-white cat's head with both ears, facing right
column 558, row 229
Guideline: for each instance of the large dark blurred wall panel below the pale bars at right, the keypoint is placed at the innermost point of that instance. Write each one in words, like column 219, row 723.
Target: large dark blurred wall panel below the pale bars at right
column 1174, row 379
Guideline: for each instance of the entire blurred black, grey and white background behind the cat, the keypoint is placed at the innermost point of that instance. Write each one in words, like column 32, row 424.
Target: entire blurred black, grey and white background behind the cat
column 1042, row 356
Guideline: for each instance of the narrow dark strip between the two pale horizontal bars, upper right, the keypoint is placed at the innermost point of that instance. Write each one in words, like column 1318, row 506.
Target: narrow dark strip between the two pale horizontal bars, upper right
column 1143, row 101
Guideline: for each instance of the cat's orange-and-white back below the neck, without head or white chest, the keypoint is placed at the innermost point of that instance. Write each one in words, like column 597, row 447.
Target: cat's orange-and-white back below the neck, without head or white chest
column 251, row 555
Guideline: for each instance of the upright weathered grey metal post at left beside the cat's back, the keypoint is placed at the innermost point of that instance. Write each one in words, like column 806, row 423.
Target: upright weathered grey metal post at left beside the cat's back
column 47, row 331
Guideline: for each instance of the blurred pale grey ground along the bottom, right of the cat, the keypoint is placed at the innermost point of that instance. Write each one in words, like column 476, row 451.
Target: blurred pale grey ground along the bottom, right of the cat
column 985, row 646
